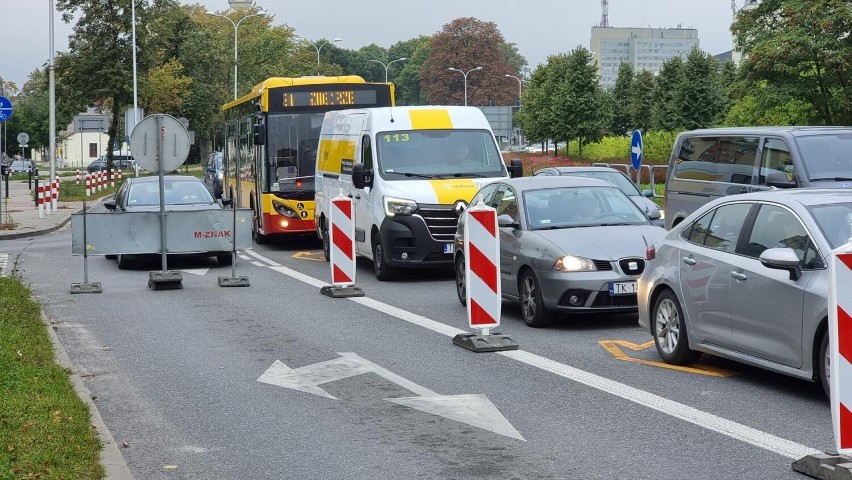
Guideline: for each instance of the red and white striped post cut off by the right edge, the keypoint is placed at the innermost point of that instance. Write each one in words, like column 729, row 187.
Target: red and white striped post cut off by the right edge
column 840, row 344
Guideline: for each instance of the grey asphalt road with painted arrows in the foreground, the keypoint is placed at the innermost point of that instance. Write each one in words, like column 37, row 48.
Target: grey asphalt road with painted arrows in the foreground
column 380, row 391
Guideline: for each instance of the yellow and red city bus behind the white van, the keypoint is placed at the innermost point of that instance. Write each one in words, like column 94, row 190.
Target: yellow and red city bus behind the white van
column 270, row 140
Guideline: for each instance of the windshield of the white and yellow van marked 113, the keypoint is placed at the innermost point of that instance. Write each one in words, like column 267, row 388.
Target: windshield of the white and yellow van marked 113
column 452, row 153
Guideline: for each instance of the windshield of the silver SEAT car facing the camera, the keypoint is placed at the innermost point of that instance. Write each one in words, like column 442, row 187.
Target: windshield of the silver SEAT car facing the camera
column 580, row 207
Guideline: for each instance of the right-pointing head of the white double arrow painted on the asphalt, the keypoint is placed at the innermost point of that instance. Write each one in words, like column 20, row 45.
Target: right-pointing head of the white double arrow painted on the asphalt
column 474, row 410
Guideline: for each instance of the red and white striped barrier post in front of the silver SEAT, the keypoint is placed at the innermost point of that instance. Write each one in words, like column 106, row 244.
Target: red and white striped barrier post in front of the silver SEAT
column 482, row 267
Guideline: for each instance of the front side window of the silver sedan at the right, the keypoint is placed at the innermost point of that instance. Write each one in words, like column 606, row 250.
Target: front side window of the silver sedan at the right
column 777, row 227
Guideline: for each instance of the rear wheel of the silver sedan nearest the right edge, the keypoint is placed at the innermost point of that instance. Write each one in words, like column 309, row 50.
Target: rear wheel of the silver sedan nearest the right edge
column 670, row 331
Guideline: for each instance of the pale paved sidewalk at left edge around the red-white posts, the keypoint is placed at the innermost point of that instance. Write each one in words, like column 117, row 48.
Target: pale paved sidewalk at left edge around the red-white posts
column 19, row 214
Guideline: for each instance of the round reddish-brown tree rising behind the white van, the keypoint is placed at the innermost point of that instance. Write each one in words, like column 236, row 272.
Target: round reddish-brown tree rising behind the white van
column 467, row 43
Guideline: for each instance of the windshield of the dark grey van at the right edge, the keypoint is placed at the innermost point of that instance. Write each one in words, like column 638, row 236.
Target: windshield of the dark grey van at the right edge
column 827, row 157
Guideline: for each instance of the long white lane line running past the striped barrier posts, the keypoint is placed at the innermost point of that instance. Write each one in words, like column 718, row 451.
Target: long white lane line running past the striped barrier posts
column 731, row 429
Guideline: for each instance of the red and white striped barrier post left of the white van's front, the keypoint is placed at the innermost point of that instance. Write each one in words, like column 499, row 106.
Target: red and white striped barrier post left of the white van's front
column 342, row 241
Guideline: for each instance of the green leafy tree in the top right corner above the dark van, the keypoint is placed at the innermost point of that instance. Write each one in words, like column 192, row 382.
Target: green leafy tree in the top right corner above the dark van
column 801, row 46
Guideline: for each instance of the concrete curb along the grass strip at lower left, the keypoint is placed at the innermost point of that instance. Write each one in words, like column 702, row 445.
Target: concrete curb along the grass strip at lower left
column 111, row 457
